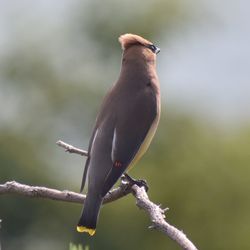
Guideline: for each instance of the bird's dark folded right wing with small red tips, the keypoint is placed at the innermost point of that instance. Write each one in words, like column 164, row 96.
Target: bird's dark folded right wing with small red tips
column 129, row 134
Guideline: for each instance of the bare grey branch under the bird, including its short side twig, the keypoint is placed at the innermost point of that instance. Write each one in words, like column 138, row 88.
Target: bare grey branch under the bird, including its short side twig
column 156, row 213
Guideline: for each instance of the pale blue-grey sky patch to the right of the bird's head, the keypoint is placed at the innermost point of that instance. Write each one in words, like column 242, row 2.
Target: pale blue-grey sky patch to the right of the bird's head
column 208, row 67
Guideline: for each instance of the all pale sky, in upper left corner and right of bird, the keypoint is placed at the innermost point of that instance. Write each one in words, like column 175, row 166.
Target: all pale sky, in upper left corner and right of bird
column 204, row 69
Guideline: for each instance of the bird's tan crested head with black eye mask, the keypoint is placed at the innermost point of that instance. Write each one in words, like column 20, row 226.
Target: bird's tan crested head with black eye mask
column 137, row 45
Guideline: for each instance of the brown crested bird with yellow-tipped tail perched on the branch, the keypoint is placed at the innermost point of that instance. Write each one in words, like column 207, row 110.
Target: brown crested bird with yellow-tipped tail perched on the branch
column 126, row 123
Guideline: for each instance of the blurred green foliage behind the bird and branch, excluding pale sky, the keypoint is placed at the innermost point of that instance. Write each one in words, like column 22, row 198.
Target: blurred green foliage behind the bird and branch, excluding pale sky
column 198, row 170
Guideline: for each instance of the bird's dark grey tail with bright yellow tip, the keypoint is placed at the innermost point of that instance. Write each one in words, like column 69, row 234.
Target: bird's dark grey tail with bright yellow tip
column 88, row 220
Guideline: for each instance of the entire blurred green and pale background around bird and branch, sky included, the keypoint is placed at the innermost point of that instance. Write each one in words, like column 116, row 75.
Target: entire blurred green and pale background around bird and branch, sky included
column 57, row 61
